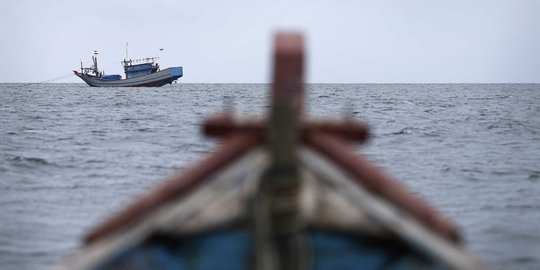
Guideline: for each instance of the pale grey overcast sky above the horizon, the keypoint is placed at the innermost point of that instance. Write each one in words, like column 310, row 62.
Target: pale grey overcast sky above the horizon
column 230, row 41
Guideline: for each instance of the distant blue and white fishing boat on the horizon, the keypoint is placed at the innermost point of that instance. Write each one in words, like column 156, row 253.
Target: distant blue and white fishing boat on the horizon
column 143, row 72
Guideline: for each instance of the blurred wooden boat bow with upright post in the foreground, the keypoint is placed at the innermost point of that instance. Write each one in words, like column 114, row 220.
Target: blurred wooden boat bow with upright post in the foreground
column 281, row 192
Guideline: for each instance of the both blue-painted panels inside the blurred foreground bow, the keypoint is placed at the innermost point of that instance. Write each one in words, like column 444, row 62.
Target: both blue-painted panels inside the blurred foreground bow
column 231, row 250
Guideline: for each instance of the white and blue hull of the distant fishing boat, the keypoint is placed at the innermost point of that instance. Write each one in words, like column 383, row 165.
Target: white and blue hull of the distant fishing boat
column 160, row 78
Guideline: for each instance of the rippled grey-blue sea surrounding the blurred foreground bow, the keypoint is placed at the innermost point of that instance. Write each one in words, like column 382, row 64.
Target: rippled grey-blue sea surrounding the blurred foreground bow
column 72, row 155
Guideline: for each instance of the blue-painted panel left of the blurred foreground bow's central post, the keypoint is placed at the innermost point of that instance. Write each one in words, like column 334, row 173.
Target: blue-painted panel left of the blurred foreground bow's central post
column 228, row 250
